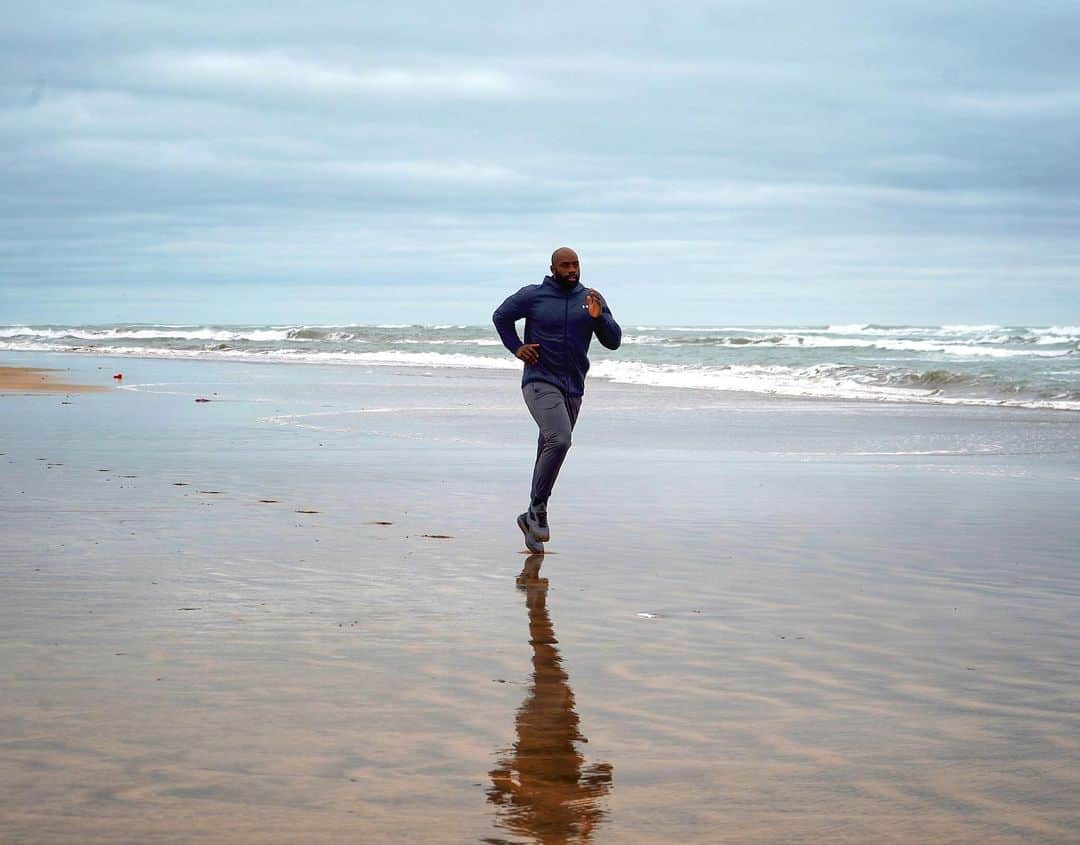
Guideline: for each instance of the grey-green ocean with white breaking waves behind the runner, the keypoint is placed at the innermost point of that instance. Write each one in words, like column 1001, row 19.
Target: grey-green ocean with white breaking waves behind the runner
column 1021, row 367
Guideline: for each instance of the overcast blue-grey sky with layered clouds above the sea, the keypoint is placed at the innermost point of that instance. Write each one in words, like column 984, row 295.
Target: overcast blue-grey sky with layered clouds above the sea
column 902, row 163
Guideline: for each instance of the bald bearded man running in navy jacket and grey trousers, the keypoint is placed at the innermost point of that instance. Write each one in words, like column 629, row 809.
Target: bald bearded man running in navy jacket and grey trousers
column 561, row 318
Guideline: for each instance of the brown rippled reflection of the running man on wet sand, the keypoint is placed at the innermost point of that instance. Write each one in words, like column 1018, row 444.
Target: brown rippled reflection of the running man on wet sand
column 542, row 787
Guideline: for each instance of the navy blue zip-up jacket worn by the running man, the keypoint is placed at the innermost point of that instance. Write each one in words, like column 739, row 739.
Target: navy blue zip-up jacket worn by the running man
column 559, row 320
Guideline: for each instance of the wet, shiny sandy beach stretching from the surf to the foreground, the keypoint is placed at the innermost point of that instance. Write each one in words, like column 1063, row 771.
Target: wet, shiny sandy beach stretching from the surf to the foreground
column 301, row 612
